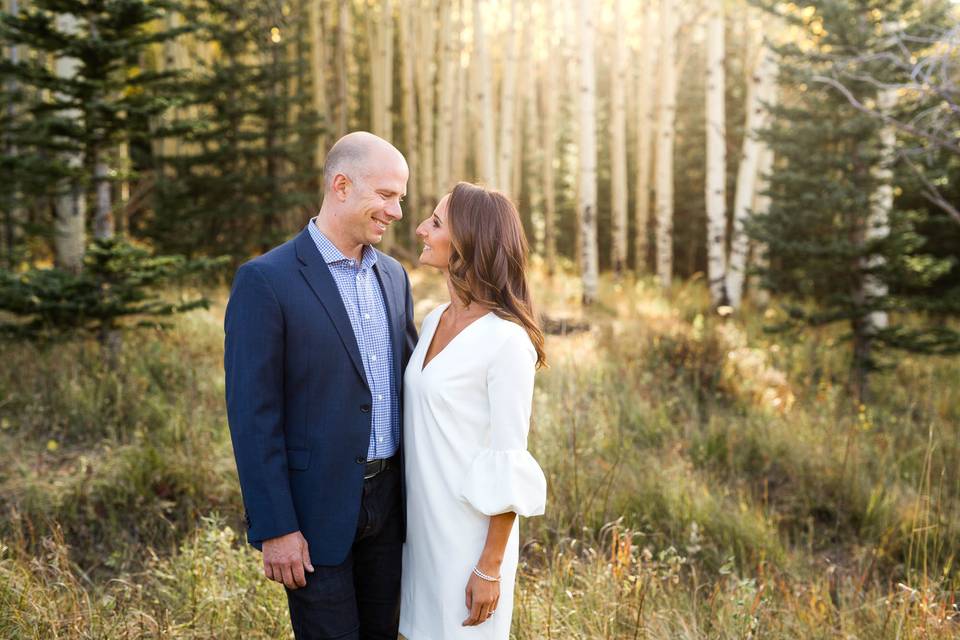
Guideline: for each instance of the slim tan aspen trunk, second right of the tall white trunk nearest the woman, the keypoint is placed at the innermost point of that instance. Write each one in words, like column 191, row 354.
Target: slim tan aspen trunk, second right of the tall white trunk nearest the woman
column 646, row 124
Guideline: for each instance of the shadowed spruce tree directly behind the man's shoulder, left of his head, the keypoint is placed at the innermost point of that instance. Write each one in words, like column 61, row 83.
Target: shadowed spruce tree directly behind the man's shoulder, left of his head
column 251, row 179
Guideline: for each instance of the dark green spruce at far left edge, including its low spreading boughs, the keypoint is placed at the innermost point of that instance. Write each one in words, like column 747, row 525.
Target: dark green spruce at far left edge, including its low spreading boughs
column 71, row 123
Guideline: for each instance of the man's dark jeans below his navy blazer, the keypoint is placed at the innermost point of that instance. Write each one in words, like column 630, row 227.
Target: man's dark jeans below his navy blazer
column 360, row 598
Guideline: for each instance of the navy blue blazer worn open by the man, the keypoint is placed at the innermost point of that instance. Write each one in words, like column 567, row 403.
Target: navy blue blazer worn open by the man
column 298, row 403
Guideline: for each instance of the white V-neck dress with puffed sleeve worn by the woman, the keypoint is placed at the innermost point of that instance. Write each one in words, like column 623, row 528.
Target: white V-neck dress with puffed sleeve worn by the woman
column 466, row 417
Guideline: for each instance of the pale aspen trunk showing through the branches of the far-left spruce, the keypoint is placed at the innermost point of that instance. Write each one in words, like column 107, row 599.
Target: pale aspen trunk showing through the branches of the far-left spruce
column 70, row 203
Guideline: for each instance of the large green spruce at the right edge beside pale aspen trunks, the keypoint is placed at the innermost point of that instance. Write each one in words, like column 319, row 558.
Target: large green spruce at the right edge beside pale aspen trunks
column 825, row 256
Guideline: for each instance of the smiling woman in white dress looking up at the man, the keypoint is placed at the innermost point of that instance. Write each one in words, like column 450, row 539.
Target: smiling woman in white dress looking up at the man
column 468, row 391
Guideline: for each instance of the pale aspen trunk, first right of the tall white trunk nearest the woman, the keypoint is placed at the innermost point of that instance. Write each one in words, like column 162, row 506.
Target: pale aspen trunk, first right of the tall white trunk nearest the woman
column 618, row 143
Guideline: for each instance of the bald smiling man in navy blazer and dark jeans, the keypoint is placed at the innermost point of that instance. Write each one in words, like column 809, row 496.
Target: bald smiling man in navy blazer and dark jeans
column 318, row 333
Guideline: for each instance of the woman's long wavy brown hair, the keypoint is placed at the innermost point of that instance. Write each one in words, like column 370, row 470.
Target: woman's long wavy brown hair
column 488, row 257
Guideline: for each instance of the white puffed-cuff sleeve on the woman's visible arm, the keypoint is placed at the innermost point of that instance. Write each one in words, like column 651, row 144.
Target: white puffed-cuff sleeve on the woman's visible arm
column 504, row 477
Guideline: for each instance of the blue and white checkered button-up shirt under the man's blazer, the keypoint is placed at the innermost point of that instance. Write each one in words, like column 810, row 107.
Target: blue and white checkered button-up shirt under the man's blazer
column 363, row 299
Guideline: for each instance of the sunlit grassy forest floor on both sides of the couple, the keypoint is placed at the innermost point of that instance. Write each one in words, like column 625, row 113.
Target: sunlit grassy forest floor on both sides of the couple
column 707, row 479
